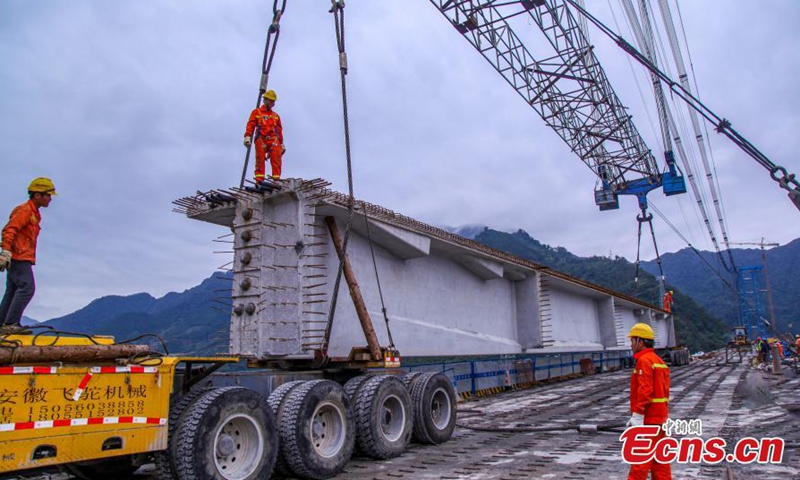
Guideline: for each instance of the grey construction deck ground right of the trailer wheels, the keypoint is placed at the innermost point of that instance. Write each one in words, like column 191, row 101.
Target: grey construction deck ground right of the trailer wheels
column 732, row 400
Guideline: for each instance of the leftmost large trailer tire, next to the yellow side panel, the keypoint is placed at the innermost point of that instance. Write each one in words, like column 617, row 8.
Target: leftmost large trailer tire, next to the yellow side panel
column 227, row 434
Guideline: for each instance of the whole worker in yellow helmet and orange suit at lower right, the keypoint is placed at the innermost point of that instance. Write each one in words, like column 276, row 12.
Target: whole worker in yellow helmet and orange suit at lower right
column 649, row 396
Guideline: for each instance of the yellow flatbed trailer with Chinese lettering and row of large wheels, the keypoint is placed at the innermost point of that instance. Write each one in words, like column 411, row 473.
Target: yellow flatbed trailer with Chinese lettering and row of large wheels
column 110, row 408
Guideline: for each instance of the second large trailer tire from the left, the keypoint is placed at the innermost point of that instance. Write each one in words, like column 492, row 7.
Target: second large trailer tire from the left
column 317, row 429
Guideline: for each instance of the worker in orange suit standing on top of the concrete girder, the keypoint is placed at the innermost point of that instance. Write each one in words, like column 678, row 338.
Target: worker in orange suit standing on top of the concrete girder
column 265, row 124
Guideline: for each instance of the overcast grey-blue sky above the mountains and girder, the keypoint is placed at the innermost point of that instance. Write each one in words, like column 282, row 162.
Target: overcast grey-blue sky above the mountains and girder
column 129, row 105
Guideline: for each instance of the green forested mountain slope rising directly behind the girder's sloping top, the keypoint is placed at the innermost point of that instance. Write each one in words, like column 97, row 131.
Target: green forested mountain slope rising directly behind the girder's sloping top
column 694, row 326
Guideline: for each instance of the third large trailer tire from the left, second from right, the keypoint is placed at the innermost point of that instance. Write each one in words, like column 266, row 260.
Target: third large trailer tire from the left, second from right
column 384, row 417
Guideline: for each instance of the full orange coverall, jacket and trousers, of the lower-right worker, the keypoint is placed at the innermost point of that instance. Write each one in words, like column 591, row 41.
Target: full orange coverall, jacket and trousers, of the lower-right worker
column 650, row 397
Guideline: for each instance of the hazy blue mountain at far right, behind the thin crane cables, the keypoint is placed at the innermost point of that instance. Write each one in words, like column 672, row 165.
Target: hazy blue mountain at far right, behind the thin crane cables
column 687, row 271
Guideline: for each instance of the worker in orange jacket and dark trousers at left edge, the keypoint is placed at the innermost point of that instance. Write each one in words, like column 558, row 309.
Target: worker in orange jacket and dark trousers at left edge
column 18, row 253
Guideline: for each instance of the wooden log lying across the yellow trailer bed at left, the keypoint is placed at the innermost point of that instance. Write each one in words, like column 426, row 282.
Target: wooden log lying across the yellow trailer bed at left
column 69, row 353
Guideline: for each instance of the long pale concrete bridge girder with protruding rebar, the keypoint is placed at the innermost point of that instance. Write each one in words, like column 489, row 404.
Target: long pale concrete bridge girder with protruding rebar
column 444, row 295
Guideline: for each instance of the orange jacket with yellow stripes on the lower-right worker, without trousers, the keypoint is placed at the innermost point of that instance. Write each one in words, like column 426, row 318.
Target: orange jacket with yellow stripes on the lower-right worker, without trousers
column 650, row 387
